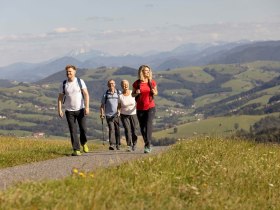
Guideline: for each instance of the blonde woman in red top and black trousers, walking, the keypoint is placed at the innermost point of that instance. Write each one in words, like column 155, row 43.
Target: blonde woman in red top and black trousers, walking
column 144, row 90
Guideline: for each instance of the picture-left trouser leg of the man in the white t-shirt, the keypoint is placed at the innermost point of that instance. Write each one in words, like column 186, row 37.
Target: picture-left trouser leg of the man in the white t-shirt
column 72, row 124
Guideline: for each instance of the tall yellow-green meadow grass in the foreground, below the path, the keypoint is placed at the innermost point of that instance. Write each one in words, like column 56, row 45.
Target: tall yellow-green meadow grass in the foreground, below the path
column 200, row 173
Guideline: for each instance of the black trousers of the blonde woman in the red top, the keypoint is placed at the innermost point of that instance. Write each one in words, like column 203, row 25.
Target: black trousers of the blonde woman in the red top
column 145, row 118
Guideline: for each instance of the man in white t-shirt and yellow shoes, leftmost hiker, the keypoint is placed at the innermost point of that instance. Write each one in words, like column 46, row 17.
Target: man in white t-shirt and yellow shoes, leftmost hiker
column 73, row 93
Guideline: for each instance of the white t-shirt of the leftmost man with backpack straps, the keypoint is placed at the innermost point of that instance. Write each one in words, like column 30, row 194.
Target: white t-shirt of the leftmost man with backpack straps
column 74, row 100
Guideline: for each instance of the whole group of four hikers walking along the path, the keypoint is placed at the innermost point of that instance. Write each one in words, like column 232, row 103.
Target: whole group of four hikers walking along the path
column 134, row 108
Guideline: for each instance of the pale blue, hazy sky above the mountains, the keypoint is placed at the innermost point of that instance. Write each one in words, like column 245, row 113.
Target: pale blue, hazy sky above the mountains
column 38, row 30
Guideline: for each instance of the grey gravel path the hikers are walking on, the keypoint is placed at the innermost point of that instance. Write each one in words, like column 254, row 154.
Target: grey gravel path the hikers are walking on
column 62, row 167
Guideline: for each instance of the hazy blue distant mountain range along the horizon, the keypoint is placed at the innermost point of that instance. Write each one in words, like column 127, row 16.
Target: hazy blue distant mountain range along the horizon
column 184, row 55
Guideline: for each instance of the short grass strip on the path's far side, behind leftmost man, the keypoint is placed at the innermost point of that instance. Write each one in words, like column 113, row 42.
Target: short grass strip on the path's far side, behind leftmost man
column 16, row 151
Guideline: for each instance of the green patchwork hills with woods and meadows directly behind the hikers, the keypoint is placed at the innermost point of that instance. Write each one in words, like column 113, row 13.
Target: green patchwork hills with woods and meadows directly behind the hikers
column 185, row 95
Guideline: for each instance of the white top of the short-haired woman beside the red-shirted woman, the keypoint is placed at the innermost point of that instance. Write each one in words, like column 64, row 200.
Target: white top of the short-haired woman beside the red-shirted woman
column 128, row 104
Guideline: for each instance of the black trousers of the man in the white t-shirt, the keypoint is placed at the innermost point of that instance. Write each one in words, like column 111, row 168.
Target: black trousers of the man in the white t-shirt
column 74, row 117
